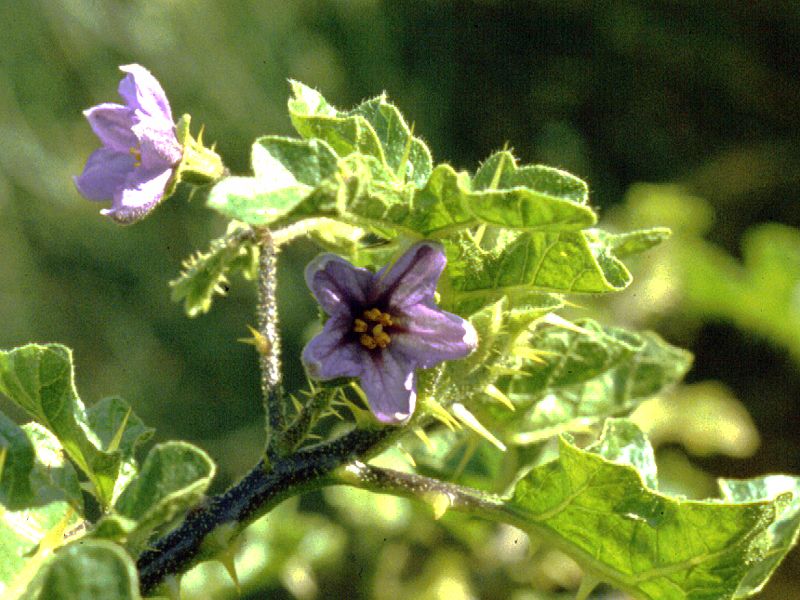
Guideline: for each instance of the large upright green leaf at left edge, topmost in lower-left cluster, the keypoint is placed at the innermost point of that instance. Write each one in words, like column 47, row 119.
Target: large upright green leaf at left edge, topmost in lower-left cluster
column 40, row 380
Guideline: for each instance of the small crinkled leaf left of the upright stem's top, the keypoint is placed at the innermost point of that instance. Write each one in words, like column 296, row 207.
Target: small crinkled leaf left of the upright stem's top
column 205, row 274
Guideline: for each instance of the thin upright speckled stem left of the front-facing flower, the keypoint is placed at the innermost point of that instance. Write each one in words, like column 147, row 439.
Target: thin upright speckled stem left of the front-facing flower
column 269, row 354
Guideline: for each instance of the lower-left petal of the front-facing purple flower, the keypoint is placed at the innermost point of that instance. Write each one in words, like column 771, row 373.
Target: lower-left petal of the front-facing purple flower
column 329, row 355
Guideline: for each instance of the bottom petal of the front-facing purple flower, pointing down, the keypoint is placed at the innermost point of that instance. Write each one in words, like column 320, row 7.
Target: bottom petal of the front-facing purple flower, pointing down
column 390, row 385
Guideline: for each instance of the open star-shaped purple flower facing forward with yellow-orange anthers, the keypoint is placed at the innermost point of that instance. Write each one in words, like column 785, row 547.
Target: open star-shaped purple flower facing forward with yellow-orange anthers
column 383, row 326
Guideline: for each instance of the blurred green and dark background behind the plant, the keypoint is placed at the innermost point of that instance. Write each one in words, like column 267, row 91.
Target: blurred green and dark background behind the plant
column 684, row 114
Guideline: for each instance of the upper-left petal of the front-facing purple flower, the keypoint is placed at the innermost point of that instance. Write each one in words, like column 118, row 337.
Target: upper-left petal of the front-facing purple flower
column 336, row 284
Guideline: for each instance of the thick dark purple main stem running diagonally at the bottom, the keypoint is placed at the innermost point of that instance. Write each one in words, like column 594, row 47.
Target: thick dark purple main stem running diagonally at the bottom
column 253, row 497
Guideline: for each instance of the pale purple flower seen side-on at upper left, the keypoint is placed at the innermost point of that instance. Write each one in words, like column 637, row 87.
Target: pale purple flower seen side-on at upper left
column 140, row 150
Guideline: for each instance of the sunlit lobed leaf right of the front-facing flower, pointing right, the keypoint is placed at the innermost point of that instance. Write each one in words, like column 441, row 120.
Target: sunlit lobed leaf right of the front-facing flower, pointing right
column 584, row 376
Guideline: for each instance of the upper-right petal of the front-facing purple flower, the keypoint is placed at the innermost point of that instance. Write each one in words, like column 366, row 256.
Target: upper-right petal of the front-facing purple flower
column 412, row 279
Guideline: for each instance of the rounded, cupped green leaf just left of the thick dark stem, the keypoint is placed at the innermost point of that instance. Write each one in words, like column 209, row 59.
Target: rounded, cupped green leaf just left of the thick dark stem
column 173, row 478
